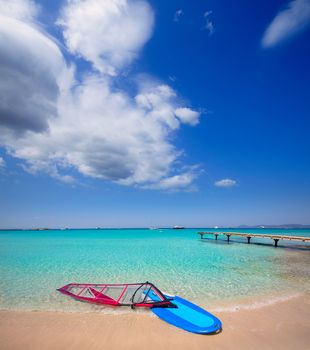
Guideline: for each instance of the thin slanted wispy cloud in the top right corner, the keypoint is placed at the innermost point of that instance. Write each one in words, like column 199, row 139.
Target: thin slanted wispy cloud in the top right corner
column 287, row 23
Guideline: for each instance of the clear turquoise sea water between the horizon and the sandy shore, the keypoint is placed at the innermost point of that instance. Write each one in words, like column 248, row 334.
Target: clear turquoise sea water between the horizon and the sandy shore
column 33, row 264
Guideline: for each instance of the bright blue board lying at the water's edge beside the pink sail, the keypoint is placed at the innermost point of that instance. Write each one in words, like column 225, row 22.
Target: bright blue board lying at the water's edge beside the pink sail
column 188, row 316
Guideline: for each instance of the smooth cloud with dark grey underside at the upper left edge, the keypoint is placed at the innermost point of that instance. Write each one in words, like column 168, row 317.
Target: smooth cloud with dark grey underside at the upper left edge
column 31, row 70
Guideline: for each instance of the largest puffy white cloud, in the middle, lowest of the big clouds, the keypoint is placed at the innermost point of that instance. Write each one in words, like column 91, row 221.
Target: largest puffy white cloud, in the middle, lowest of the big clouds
column 105, row 134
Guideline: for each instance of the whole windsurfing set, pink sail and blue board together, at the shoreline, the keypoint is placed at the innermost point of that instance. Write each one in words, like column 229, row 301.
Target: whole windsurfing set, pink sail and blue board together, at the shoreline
column 172, row 309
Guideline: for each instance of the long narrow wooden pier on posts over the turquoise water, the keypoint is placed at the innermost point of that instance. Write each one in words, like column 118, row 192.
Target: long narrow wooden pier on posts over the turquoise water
column 248, row 236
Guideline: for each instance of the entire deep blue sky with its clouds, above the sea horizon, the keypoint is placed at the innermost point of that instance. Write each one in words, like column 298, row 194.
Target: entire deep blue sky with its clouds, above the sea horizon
column 135, row 113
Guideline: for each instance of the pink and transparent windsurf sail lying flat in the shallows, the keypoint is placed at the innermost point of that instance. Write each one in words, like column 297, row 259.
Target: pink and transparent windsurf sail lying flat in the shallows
column 130, row 294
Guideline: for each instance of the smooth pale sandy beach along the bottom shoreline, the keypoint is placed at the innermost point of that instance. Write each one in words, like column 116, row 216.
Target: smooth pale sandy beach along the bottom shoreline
column 283, row 325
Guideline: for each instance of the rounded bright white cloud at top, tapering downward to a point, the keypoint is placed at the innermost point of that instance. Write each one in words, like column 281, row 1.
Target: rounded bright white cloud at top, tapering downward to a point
column 107, row 33
